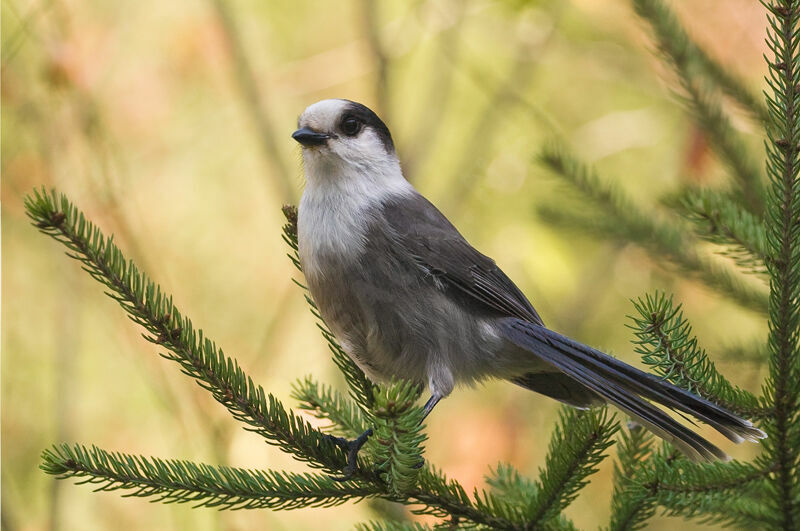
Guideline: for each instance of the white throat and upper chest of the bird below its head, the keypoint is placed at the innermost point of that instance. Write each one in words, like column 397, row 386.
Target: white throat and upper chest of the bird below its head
column 339, row 196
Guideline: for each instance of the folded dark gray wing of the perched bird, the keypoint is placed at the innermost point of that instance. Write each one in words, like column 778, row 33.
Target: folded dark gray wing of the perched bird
column 440, row 250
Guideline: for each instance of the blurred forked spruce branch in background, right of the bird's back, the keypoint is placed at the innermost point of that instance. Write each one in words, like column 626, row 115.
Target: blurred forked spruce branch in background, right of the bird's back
column 625, row 221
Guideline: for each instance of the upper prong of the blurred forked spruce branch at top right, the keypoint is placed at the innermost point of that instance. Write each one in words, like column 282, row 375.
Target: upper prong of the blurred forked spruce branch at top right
column 679, row 48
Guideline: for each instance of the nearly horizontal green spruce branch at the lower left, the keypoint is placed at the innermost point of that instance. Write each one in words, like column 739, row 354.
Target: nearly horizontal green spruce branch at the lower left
column 174, row 481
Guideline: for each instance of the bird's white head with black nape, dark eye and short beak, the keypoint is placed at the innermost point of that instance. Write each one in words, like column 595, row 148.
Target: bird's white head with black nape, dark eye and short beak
column 341, row 137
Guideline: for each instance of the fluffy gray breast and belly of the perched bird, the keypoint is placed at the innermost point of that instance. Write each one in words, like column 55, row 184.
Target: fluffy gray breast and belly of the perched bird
column 396, row 319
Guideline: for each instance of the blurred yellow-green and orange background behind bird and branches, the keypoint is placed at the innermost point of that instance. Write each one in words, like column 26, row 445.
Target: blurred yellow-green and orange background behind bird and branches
column 168, row 123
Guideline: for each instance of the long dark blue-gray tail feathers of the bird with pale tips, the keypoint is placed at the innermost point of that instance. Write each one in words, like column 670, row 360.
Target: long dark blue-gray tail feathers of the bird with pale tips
column 627, row 388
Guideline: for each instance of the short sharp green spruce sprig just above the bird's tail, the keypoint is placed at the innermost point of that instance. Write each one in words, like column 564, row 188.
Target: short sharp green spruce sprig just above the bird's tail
column 664, row 340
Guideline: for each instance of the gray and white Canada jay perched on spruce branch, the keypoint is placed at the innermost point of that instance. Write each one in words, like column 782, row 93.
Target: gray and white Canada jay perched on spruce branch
column 407, row 296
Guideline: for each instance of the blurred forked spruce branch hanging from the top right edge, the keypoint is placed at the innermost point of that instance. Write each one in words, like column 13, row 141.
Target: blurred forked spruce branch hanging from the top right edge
column 689, row 61
